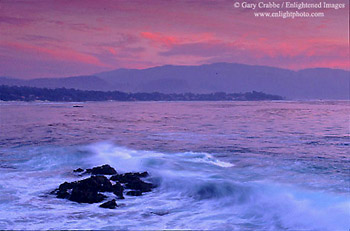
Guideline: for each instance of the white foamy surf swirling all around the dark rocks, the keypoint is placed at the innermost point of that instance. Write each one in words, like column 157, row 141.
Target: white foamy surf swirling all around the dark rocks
column 196, row 191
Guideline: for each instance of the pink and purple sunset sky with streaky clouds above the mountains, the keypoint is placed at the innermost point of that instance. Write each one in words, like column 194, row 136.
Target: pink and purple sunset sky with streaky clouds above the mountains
column 60, row 38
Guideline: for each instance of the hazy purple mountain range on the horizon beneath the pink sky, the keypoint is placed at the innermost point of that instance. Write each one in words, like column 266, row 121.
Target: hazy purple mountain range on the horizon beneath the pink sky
column 315, row 83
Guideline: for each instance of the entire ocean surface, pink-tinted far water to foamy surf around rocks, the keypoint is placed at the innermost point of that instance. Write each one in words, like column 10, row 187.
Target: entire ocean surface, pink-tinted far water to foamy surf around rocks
column 219, row 165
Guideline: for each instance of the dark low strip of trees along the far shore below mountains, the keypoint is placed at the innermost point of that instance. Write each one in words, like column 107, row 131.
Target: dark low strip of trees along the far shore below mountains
column 20, row 93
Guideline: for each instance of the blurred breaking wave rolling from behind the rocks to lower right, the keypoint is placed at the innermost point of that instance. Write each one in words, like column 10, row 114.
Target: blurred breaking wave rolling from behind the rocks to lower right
column 207, row 180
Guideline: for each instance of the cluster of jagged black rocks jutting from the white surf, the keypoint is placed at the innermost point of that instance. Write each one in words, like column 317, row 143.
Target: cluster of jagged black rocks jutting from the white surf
column 90, row 190
